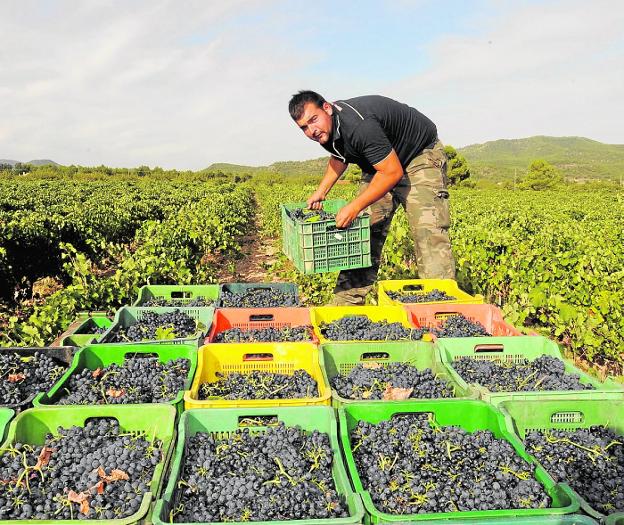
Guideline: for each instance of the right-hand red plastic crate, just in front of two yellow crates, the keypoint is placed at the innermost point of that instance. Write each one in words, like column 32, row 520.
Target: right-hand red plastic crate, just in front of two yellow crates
column 433, row 315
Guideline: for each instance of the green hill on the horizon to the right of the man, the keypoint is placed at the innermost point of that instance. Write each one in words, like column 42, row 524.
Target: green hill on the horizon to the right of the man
column 577, row 157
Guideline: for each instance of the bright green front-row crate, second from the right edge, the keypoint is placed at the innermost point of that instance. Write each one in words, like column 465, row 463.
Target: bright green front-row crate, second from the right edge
column 471, row 415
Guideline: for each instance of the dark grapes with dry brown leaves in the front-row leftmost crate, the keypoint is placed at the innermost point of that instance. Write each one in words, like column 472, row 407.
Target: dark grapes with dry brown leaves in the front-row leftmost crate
column 91, row 472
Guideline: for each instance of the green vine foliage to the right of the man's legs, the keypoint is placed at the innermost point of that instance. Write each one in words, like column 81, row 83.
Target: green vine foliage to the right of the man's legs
column 553, row 261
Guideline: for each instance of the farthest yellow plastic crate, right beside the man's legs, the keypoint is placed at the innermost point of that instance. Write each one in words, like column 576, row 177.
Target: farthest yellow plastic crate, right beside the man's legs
column 425, row 286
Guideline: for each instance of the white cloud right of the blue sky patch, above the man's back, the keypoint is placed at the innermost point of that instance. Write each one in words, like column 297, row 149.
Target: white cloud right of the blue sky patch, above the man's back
column 552, row 69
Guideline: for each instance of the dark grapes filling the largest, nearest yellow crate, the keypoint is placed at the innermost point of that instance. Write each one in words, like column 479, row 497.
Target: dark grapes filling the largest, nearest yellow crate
column 260, row 385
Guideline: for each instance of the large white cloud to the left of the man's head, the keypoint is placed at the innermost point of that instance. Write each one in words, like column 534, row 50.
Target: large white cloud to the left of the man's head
column 158, row 83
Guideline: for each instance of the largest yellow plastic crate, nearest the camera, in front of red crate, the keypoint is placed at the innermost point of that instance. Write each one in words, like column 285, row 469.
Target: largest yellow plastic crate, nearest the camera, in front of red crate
column 283, row 358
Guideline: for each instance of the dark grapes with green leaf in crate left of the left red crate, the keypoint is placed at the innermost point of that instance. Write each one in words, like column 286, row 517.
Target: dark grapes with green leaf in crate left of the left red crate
column 153, row 326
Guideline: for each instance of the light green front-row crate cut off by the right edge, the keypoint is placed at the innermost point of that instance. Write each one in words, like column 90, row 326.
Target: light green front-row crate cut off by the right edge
column 523, row 417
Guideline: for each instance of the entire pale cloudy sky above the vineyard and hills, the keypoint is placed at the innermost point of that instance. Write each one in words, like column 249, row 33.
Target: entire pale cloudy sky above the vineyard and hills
column 183, row 84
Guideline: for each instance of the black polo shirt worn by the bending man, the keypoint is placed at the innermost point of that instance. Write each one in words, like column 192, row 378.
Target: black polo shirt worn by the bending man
column 366, row 129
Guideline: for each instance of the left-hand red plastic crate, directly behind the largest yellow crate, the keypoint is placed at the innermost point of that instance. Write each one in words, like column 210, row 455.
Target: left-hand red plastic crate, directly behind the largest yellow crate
column 254, row 318
